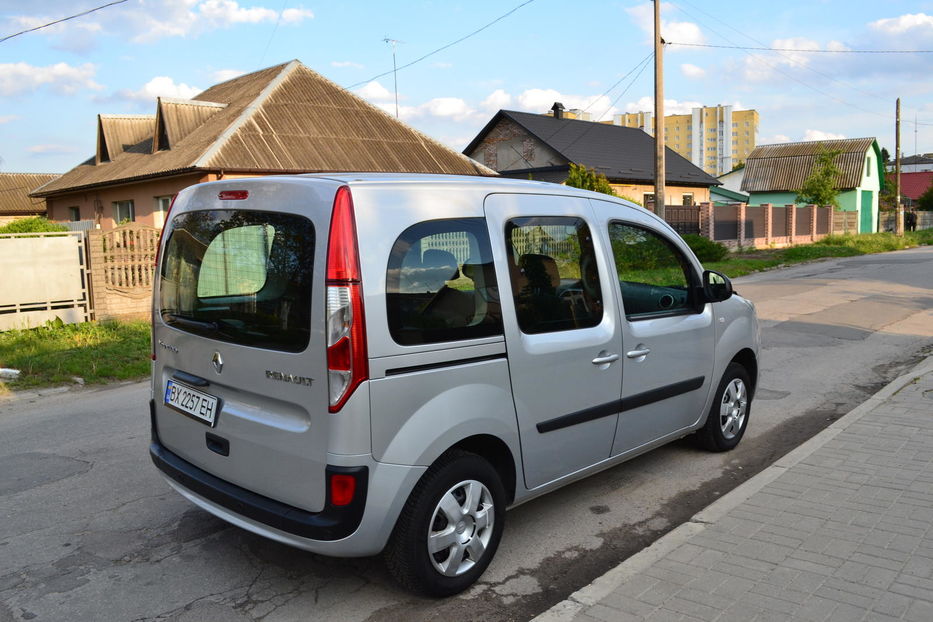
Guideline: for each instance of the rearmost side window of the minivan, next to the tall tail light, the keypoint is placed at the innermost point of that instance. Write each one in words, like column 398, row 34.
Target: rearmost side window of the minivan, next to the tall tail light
column 441, row 284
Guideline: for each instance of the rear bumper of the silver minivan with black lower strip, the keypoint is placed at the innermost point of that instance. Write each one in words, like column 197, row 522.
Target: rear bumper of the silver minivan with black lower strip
column 359, row 529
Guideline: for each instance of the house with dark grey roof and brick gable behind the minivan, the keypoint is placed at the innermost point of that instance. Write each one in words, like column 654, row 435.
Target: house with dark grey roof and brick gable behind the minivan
column 525, row 145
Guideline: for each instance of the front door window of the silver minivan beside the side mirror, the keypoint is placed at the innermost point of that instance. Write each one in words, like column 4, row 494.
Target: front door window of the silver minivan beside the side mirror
column 654, row 276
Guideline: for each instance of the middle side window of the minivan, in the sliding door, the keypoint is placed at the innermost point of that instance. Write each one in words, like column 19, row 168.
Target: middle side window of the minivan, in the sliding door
column 555, row 280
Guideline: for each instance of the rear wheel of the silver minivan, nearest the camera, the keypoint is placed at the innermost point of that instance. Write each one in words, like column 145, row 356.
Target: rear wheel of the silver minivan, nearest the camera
column 450, row 527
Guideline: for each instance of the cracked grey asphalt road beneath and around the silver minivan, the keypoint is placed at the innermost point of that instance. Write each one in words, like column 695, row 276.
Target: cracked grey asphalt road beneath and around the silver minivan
column 89, row 531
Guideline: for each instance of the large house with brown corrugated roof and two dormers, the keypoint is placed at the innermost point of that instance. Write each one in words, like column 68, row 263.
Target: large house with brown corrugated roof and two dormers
column 280, row 120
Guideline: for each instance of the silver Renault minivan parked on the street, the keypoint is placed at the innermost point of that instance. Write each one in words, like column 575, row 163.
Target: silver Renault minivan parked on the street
column 359, row 363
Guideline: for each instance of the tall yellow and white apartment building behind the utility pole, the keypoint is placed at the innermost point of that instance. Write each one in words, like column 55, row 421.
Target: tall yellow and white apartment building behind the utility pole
column 714, row 138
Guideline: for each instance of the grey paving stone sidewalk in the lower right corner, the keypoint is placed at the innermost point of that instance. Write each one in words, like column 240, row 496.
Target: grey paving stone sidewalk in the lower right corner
column 839, row 529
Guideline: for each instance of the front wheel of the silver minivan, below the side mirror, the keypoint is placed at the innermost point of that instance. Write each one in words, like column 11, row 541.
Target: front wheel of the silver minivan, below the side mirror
column 728, row 416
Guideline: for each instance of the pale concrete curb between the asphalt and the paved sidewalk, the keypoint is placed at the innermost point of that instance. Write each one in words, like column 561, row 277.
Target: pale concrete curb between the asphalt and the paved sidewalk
column 587, row 596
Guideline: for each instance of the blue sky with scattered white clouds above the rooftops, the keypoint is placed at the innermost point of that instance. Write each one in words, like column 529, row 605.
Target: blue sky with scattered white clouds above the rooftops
column 55, row 81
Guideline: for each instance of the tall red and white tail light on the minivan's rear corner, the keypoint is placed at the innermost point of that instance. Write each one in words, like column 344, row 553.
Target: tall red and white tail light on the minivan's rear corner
column 347, row 364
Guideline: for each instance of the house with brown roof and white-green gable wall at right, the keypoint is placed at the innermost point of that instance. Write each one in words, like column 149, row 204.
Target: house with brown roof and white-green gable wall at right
column 775, row 173
